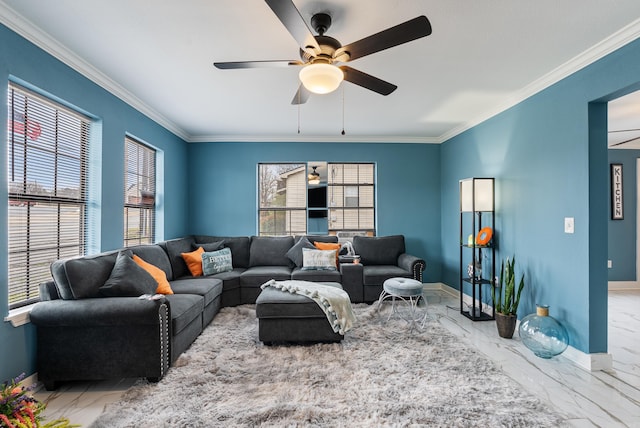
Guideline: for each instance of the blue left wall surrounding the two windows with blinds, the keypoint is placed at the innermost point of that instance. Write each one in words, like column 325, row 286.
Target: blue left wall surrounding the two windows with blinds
column 22, row 60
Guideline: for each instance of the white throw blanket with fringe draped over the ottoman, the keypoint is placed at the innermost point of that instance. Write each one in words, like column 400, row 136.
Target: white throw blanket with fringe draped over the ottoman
column 333, row 301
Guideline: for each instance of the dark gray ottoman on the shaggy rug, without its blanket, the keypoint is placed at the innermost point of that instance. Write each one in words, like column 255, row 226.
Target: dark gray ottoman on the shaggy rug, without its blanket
column 287, row 317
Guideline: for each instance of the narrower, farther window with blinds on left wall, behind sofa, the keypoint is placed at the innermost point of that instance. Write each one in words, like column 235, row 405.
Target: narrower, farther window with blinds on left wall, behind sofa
column 139, row 193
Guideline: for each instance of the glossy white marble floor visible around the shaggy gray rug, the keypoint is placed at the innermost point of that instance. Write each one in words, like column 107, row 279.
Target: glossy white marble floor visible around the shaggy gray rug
column 598, row 399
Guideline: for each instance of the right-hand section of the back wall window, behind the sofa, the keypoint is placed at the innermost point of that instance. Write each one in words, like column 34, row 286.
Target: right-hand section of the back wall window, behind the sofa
column 351, row 197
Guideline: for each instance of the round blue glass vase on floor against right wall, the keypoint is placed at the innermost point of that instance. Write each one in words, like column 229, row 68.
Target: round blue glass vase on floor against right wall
column 543, row 334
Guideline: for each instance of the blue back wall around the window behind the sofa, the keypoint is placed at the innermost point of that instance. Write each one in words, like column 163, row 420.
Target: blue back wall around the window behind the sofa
column 223, row 183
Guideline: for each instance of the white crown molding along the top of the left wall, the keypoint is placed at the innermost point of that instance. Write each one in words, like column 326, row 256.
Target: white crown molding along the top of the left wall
column 14, row 21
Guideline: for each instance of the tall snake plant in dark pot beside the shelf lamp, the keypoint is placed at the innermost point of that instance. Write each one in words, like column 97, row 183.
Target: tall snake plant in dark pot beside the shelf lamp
column 506, row 298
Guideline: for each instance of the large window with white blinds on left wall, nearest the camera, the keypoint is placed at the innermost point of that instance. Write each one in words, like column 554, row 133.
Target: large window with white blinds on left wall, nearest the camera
column 47, row 204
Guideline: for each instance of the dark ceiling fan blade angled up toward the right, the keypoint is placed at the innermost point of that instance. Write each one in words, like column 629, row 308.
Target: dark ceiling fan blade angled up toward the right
column 394, row 36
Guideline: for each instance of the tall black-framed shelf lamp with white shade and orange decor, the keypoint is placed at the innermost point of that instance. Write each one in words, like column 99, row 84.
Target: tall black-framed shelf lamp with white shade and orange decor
column 477, row 246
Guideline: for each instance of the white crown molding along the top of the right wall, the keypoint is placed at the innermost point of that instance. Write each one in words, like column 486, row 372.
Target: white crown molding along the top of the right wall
column 617, row 40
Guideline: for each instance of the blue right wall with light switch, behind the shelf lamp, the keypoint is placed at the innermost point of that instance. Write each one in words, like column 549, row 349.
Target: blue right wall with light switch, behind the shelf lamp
column 549, row 157
